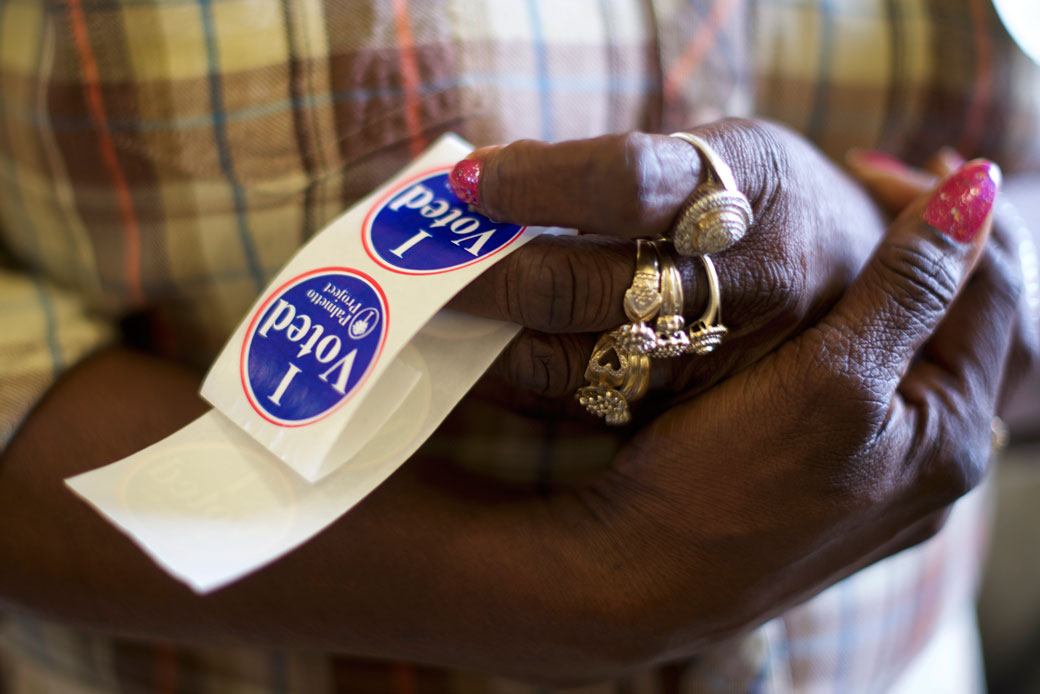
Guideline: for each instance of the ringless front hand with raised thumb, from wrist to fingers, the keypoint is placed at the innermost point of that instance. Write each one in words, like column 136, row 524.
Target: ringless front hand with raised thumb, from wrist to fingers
column 843, row 447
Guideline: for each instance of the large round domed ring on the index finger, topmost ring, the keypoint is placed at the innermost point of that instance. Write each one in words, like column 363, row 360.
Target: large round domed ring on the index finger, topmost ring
column 717, row 215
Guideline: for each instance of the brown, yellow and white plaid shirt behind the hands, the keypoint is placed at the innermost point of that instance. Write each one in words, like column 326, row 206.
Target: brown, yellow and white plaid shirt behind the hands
column 169, row 156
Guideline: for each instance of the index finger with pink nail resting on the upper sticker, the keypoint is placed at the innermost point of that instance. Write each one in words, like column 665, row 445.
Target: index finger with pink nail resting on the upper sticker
column 630, row 186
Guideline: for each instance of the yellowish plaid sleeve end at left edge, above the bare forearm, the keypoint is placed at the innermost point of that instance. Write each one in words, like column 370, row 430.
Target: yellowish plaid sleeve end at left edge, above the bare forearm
column 44, row 330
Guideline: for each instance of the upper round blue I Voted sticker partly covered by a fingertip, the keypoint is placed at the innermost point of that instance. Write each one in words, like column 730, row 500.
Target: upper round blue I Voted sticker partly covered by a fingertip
column 423, row 228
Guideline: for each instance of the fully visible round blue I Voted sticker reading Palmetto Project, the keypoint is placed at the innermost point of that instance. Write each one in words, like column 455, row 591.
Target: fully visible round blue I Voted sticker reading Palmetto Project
column 311, row 344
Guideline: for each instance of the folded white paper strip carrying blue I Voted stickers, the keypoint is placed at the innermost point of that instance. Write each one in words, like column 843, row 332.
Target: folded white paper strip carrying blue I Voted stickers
column 336, row 376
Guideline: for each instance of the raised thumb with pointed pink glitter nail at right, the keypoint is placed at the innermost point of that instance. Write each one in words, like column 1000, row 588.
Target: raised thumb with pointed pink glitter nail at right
column 915, row 275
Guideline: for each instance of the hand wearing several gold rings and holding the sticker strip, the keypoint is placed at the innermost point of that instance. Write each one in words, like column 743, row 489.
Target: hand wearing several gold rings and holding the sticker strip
column 814, row 229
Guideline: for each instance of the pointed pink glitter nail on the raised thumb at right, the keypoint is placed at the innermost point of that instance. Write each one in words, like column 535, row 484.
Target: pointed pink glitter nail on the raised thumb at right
column 965, row 199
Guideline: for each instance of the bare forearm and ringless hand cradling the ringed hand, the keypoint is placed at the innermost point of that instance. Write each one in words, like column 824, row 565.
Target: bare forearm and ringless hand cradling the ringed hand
column 843, row 447
